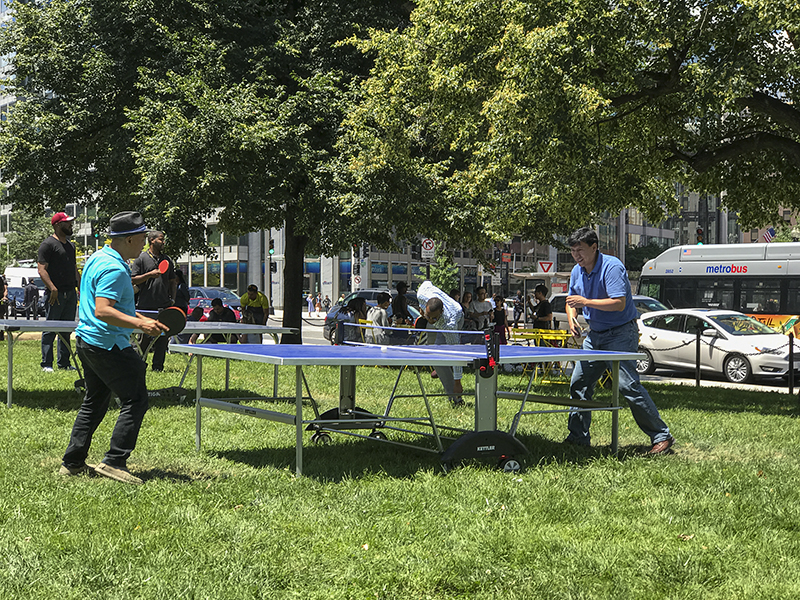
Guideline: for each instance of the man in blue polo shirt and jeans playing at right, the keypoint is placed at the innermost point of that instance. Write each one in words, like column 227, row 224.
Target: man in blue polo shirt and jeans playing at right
column 599, row 286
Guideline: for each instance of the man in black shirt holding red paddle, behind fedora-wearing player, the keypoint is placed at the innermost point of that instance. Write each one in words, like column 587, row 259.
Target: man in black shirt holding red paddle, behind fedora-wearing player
column 157, row 290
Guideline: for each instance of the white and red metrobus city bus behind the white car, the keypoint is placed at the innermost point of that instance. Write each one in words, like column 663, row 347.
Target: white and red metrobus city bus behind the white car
column 761, row 280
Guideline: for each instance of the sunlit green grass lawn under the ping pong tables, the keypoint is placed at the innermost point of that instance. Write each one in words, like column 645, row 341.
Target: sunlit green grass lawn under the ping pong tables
column 718, row 519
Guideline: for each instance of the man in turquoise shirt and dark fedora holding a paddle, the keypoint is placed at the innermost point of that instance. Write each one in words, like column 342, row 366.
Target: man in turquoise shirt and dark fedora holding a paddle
column 110, row 364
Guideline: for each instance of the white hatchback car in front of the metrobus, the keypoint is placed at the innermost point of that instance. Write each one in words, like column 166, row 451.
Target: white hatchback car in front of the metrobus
column 732, row 343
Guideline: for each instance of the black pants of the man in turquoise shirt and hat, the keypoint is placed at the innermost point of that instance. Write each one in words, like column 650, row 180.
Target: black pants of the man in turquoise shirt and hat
column 105, row 371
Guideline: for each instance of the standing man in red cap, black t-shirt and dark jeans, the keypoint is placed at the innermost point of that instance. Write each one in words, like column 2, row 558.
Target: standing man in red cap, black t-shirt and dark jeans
column 59, row 272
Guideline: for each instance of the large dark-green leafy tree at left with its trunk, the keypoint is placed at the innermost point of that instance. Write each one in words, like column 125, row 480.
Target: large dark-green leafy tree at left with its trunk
column 193, row 108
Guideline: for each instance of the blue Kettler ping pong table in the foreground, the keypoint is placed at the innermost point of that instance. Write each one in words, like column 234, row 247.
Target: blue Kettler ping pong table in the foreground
column 484, row 441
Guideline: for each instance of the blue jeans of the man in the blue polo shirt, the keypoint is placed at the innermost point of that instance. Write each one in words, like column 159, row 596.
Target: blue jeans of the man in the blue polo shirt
column 624, row 338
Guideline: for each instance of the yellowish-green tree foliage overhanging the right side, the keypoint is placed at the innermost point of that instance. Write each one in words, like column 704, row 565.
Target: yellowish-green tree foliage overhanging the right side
column 531, row 118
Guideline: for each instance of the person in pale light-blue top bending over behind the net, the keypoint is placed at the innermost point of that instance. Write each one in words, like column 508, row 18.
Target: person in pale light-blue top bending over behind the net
column 443, row 314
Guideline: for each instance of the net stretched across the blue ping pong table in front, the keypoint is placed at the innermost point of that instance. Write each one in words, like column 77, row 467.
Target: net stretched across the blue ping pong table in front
column 367, row 333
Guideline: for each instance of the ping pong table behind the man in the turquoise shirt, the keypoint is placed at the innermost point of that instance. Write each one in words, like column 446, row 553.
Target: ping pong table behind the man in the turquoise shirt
column 15, row 327
